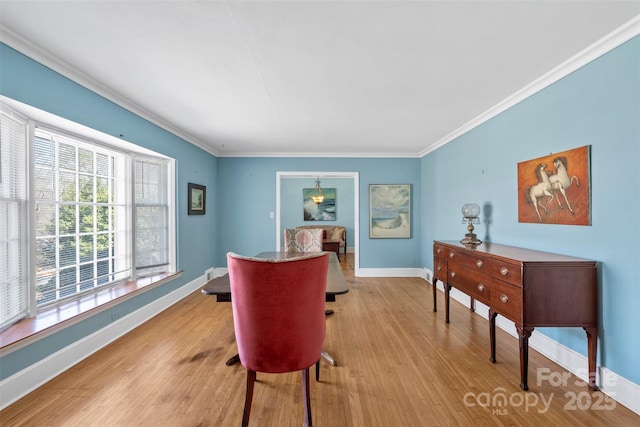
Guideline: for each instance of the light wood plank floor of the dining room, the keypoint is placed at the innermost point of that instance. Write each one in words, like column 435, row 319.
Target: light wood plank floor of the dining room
column 399, row 364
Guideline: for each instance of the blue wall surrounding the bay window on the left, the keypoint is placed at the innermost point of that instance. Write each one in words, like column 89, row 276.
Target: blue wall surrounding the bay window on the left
column 27, row 81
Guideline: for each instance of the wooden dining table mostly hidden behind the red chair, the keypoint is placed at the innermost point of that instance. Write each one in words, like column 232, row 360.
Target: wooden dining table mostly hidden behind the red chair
column 336, row 285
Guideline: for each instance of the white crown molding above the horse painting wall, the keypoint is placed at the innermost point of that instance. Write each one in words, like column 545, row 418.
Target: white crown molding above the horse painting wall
column 609, row 42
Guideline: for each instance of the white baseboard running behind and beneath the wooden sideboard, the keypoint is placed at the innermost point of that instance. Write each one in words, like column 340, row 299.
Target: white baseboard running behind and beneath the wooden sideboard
column 620, row 389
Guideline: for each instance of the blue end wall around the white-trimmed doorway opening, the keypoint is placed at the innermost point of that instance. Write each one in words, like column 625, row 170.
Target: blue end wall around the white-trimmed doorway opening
column 248, row 193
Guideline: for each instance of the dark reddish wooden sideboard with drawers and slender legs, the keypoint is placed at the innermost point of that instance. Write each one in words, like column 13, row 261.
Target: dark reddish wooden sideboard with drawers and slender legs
column 531, row 288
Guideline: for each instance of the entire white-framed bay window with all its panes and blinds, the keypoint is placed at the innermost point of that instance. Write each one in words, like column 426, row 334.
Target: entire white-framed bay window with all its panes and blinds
column 77, row 216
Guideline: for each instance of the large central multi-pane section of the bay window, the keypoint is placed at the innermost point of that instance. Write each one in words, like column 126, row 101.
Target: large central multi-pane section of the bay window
column 80, row 216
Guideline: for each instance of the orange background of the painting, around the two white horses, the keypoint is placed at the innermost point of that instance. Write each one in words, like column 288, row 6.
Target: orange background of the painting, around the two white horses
column 579, row 196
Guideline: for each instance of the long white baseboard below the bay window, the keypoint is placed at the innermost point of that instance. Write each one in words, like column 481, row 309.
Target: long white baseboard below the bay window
column 27, row 380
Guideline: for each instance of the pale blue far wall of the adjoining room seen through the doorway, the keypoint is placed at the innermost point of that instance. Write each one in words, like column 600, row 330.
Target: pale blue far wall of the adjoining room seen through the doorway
column 291, row 212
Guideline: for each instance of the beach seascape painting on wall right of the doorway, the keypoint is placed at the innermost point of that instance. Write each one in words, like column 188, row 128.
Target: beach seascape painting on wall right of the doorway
column 390, row 211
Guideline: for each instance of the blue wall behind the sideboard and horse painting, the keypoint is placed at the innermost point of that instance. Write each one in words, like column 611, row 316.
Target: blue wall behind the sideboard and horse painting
column 597, row 105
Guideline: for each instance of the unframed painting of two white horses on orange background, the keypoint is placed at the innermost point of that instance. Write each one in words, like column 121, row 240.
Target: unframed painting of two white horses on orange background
column 556, row 189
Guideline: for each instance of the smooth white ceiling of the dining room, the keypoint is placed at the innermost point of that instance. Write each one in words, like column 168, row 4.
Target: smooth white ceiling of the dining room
column 334, row 78
